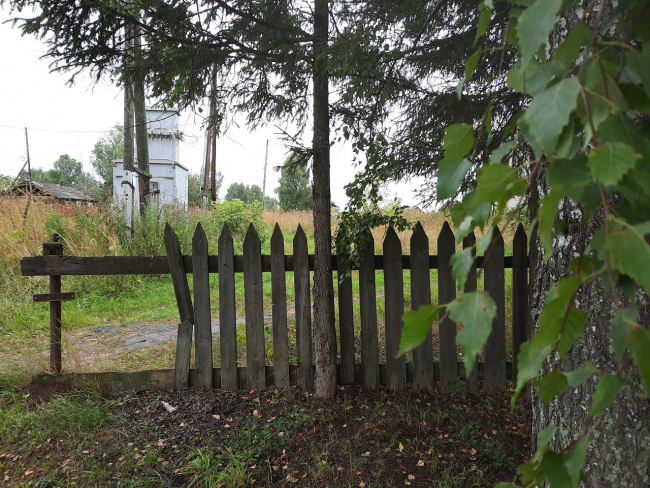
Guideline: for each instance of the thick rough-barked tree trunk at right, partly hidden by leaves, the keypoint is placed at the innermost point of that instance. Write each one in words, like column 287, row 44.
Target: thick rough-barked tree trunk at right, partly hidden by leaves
column 624, row 432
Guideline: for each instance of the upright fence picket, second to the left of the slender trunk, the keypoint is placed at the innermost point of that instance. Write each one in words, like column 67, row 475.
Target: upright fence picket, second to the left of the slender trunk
column 279, row 297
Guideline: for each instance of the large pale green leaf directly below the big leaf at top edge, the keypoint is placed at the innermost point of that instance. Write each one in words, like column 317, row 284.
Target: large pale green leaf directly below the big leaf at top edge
column 549, row 112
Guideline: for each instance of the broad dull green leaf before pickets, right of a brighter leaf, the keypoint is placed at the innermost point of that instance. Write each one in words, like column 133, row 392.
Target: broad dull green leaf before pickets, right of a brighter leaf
column 475, row 310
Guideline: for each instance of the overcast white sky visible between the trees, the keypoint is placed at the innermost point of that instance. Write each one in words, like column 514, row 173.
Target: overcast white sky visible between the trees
column 63, row 119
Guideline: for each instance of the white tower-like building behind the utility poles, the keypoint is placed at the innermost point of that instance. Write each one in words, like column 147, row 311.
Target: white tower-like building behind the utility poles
column 169, row 179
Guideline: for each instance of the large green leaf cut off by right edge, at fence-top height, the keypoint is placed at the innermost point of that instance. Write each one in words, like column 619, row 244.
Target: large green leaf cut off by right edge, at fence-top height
column 630, row 253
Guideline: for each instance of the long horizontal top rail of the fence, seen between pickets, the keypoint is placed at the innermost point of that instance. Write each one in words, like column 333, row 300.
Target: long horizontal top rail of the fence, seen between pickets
column 133, row 265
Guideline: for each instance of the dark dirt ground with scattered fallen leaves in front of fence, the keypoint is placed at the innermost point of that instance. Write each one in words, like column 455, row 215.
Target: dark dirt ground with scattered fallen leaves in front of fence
column 285, row 438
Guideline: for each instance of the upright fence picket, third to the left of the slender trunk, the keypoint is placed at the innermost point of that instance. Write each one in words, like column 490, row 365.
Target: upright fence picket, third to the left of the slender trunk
column 253, row 300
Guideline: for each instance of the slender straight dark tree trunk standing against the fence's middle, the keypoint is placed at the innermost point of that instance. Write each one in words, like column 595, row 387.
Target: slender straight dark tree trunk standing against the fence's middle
column 324, row 331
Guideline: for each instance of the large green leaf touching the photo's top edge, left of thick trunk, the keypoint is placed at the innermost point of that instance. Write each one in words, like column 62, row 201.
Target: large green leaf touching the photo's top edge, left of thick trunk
column 534, row 26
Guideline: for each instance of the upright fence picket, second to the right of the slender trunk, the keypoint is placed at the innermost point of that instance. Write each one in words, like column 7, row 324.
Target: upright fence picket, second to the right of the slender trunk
column 368, row 305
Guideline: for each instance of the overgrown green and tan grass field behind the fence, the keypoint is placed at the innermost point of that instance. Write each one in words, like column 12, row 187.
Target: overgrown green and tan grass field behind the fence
column 123, row 300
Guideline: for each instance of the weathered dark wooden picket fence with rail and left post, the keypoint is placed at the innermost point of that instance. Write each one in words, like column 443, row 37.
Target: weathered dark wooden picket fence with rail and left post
column 196, row 312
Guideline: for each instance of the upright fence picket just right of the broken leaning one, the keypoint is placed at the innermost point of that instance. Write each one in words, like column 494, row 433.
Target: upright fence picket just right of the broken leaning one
column 202, row 318
